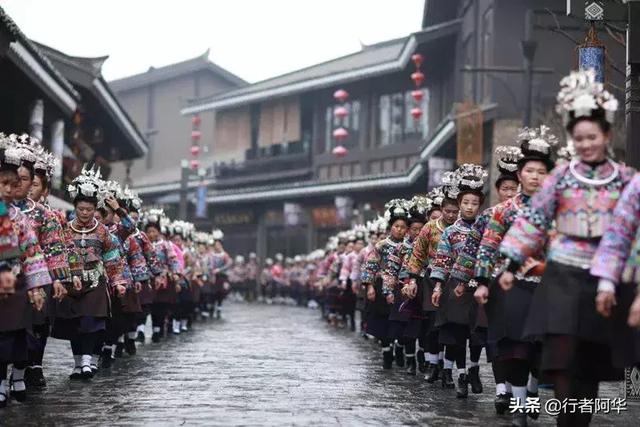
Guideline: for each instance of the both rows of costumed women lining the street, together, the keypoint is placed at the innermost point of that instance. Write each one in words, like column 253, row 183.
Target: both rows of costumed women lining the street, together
column 545, row 281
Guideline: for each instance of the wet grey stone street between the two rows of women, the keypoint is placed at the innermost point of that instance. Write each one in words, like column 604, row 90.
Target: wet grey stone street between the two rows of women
column 261, row 365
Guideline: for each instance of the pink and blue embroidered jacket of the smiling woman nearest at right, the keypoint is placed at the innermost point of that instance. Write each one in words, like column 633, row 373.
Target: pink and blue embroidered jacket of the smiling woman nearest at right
column 581, row 212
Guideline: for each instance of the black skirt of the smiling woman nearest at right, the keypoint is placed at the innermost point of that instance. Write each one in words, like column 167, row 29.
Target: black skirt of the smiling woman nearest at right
column 575, row 338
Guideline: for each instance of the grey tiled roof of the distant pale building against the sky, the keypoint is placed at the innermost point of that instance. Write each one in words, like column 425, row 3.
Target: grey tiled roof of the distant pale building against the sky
column 154, row 75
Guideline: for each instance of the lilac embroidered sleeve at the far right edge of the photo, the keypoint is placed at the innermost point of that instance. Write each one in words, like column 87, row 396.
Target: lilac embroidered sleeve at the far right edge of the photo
column 615, row 245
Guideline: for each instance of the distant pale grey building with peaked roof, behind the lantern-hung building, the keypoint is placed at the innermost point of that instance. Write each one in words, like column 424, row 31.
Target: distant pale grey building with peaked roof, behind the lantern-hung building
column 154, row 99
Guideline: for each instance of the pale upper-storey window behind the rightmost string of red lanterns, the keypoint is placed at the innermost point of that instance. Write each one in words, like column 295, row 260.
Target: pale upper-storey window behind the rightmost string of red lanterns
column 395, row 122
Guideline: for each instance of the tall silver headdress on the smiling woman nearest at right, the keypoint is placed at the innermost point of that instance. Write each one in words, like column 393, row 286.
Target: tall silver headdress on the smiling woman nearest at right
column 580, row 95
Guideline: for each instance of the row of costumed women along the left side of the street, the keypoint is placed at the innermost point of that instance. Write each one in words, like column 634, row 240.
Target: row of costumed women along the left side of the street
column 92, row 277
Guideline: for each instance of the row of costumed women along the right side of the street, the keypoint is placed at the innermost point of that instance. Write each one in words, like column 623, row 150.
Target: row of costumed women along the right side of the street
column 546, row 281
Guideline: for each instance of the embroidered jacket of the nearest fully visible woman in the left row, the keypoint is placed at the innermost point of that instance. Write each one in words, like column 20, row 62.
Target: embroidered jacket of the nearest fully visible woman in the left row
column 96, row 250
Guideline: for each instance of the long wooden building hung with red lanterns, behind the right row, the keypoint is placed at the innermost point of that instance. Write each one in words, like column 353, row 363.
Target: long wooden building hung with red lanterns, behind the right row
column 276, row 180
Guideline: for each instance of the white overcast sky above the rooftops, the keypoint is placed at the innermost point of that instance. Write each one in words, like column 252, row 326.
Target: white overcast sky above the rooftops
column 254, row 39
